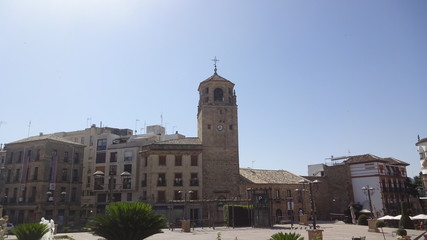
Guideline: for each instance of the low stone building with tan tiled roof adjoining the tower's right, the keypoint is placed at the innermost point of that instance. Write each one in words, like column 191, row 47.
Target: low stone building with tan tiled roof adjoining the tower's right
column 285, row 195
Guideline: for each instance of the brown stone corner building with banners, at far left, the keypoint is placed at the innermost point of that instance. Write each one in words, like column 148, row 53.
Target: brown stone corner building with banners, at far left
column 43, row 179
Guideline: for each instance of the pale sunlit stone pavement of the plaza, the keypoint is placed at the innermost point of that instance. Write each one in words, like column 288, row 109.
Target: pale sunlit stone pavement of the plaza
column 331, row 231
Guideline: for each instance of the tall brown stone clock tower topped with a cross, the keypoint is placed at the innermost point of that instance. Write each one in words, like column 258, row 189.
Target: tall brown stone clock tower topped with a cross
column 218, row 132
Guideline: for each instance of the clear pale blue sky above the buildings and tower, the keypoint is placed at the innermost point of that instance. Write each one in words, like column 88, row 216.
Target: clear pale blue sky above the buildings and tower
column 314, row 79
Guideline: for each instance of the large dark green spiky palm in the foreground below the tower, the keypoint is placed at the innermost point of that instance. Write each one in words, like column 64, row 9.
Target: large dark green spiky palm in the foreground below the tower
column 130, row 221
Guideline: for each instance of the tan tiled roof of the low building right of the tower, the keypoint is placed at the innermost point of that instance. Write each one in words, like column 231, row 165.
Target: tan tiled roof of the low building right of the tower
column 269, row 176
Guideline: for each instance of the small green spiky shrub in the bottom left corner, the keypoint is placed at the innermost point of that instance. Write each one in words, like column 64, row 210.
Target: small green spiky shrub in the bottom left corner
column 30, row 231
